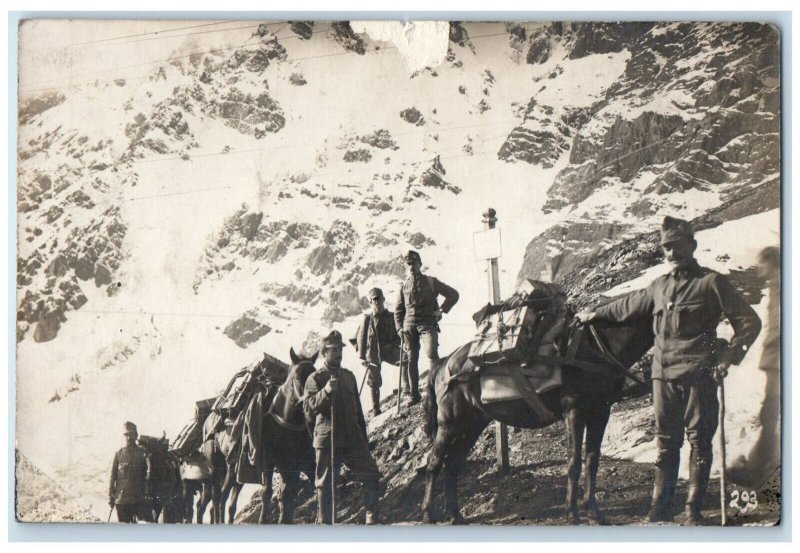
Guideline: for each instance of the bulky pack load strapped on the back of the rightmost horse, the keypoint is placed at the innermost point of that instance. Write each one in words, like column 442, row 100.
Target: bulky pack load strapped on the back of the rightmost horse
column 517, row 341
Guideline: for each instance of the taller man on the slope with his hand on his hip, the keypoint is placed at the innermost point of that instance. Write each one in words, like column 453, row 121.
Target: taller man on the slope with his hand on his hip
column 417, row 314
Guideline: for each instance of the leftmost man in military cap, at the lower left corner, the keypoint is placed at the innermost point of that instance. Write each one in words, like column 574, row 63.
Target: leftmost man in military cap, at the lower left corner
column 130, row 475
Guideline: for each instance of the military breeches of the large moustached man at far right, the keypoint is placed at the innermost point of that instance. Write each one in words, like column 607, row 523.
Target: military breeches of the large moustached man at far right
column 687, row 405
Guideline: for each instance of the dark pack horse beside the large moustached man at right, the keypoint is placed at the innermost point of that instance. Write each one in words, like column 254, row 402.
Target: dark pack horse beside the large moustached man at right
column 456, row 416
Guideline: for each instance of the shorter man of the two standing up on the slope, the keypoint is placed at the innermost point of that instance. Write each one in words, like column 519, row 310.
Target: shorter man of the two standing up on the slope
column 377, row 342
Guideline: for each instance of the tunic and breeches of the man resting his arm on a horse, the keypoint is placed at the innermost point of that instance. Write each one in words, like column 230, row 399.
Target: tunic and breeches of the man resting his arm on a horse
column 686, row 306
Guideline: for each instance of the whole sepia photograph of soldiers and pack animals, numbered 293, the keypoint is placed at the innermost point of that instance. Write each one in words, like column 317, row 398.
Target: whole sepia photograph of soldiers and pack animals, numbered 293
column 384, row 273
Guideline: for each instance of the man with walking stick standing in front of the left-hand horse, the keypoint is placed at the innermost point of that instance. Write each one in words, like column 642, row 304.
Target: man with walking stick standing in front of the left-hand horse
column 331, row 400
